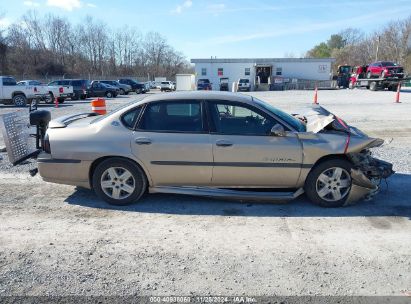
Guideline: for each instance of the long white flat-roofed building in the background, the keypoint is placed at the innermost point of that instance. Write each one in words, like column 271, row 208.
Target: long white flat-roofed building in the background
column 262, row 71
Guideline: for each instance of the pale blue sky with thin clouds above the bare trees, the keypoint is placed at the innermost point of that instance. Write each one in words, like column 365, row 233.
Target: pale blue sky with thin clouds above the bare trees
column 226, row 28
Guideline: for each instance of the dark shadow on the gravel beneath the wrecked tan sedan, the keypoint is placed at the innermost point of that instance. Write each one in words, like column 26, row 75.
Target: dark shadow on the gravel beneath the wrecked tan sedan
column 393, row 200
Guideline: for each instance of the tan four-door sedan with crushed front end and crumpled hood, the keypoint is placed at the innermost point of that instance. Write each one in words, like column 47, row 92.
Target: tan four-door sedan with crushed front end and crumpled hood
column 214, row 144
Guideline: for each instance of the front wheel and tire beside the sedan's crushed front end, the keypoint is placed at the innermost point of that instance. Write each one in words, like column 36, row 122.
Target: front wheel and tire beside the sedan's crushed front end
column 329, row 183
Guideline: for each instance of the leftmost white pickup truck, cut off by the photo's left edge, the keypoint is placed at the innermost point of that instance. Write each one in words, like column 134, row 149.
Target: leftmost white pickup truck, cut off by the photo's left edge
column 19, row 95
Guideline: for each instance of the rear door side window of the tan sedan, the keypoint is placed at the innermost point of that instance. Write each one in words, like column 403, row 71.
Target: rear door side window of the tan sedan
column 173, row 116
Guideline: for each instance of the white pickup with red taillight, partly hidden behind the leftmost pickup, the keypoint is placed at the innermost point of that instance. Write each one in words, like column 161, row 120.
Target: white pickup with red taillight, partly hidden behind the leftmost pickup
column 50, row 92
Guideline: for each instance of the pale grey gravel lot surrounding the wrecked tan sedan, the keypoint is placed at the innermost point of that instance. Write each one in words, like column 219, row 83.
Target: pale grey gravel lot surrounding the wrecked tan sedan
column 60, row 240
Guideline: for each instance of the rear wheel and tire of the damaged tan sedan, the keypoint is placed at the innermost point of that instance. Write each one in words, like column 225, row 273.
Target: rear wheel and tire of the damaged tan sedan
column 119, row 181
